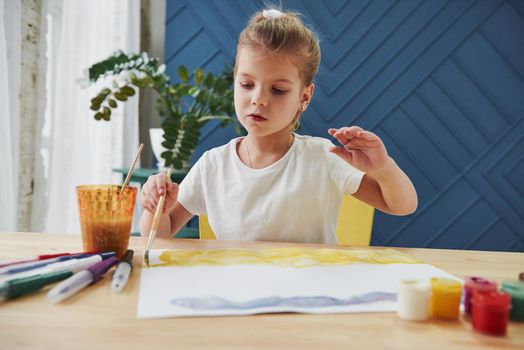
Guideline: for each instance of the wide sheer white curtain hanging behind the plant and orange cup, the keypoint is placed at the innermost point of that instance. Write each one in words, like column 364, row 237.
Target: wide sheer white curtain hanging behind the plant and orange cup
column 72, row 147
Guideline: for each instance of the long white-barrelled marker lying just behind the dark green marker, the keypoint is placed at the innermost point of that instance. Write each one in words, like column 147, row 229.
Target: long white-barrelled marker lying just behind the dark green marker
column 73, row 265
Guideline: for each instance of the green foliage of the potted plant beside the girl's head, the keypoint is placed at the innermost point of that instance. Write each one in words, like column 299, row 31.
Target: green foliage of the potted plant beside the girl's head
column 184, row 107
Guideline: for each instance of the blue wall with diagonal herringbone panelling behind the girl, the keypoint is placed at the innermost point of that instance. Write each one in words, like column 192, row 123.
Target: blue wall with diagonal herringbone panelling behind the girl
column 442, row 82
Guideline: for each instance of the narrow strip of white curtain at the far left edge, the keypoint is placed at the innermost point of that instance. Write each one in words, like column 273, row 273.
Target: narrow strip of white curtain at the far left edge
column 10, row 50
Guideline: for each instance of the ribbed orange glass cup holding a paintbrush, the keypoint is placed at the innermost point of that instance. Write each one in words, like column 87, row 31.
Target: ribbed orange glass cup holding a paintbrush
column 106, row 217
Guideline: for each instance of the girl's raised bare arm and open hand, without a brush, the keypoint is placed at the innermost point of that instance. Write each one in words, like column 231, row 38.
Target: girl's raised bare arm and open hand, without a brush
column 384, row 186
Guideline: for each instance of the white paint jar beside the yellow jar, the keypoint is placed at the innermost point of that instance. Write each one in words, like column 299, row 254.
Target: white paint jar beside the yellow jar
column 413, row 300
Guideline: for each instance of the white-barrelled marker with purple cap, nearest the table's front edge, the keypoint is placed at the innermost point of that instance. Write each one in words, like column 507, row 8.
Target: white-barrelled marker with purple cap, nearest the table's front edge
column 80, row 280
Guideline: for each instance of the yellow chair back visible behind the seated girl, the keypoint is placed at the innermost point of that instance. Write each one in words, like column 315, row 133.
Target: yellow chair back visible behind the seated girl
column 354, row 224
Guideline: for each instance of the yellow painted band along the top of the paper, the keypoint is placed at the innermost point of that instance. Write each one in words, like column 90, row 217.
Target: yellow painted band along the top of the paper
column 286, row 257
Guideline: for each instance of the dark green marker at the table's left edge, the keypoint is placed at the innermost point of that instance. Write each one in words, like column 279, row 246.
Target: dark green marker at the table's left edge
column 20, row 286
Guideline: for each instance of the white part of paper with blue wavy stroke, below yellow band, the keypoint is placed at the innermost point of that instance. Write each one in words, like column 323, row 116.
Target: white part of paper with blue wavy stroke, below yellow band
column 206, row 290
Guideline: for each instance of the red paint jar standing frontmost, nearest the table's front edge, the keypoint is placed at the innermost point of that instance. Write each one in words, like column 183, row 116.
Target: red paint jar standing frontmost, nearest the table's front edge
column 490, row 312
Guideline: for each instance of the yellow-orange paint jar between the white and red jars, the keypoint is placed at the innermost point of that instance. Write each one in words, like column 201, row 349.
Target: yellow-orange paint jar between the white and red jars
column 445, row 298
